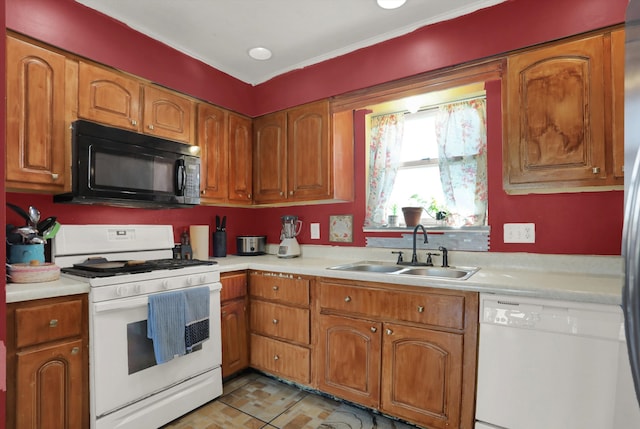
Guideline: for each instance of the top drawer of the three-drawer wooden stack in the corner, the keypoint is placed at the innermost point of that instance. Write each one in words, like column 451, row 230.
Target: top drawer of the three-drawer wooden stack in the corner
column 281, row 289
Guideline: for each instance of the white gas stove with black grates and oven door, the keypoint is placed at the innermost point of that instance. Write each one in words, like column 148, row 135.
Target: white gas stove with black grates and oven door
column 125, row 265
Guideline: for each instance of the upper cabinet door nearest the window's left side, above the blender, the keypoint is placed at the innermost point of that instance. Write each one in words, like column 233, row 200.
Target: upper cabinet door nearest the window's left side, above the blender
column 308, row 152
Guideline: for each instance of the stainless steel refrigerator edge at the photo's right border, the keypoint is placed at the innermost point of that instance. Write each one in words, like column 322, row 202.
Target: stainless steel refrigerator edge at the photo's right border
column 631, row 231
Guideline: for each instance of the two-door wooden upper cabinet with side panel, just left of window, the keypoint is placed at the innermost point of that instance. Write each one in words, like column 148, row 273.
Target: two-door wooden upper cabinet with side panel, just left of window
column 304, row 154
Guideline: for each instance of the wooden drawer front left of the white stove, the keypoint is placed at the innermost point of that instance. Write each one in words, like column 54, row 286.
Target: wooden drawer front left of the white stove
column 50, row 322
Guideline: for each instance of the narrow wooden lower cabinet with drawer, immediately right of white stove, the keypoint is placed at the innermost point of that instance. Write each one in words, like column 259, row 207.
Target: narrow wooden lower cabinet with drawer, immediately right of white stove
column 233, row 311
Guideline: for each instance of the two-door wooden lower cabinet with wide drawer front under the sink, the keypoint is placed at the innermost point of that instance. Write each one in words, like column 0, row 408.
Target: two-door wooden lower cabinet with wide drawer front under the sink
column 408, row 354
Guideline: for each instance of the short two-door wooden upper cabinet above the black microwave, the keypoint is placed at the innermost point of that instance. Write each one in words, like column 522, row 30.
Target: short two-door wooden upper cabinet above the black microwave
column 115, row 99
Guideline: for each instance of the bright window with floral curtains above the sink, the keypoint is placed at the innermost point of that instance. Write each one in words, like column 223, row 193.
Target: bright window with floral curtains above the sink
column 434, row 158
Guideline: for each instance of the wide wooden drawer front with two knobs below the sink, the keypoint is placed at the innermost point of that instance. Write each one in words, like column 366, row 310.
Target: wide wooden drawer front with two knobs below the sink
column 431, row 309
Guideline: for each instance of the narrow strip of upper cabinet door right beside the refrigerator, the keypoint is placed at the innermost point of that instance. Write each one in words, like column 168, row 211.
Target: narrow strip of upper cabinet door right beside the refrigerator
column 617, row 89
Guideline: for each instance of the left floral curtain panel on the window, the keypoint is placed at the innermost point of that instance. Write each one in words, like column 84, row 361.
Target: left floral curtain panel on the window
column 384, row 158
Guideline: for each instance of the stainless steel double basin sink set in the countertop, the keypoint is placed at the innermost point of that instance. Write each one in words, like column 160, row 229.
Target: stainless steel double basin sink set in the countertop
column 456, row 273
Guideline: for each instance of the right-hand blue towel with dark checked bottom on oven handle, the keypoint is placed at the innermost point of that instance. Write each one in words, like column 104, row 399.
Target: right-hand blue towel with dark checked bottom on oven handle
column 196, row 329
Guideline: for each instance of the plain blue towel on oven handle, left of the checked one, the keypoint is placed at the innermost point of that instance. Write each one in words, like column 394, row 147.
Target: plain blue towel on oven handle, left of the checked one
column 165, row 325
